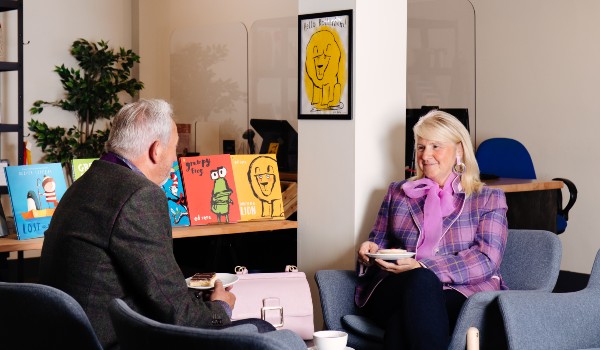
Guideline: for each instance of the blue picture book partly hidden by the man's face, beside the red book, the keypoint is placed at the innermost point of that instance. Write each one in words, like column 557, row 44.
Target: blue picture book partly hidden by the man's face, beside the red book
column 173, row 188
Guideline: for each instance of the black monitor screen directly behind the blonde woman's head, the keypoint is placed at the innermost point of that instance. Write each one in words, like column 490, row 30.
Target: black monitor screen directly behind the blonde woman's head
column 412, row 117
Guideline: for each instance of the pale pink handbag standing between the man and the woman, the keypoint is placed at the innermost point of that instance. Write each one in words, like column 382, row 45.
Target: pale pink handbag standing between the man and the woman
column 281, row 298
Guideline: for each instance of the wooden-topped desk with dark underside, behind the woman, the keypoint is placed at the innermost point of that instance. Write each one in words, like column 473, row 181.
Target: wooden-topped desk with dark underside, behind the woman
column 532, row 204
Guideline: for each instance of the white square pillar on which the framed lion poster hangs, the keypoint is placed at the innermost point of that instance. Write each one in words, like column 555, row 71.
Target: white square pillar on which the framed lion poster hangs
column 344, row 167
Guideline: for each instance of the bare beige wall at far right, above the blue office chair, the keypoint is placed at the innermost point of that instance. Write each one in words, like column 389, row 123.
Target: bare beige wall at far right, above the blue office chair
column 538, row 67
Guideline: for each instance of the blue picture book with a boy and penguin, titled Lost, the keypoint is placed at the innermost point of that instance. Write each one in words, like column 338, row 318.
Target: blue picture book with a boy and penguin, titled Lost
column 35, row 190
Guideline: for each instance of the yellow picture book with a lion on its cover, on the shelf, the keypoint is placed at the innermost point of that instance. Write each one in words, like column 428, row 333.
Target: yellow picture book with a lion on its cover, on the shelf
column 258, row 185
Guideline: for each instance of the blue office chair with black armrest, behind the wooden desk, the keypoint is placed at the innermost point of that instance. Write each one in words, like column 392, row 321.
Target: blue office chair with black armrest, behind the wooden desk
column 504, row 157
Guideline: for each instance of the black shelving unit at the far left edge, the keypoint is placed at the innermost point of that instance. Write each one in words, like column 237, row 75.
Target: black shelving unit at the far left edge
column 15, row 5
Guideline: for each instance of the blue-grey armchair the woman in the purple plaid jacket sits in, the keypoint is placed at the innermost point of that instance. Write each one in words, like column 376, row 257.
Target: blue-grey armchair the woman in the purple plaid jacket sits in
column 531, row 262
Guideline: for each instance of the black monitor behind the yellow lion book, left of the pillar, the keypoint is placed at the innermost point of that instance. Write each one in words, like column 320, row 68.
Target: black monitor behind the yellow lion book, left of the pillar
column 279, row 136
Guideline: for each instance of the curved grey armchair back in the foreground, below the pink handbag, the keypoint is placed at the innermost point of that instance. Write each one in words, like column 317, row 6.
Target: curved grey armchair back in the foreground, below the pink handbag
column 135, row 331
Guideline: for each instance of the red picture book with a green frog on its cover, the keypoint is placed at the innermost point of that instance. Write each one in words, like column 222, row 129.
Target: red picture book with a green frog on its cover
column 210, row 187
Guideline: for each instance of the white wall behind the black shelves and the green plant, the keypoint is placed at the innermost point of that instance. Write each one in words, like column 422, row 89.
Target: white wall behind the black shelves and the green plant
column 50, row 27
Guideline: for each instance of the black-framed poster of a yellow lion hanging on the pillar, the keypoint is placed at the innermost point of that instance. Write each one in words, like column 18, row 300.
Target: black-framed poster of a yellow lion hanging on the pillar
column 325, row 65
